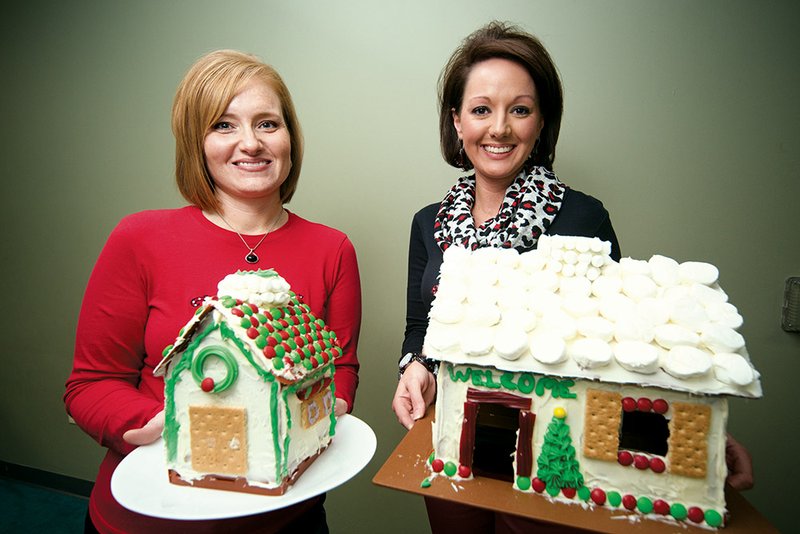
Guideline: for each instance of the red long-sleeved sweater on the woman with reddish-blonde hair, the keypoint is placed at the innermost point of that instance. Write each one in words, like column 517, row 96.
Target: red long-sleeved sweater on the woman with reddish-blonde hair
column 152, row 273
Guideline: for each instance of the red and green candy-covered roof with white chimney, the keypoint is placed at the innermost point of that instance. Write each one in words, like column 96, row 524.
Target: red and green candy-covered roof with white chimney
column 281, row 333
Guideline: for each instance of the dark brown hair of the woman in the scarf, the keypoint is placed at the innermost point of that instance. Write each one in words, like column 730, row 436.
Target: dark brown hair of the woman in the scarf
column 501, row 40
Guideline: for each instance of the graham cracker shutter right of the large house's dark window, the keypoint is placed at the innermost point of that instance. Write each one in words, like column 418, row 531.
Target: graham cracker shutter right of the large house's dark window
column 688, row 440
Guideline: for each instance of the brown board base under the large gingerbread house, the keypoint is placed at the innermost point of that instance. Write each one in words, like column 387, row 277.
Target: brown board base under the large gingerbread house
column 406, row 468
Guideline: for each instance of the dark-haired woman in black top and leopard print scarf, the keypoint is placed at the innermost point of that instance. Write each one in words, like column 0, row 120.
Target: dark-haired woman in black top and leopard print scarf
column 500, row 112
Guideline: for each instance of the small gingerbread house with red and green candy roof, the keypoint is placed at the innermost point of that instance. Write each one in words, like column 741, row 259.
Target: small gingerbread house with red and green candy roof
column 248, row 388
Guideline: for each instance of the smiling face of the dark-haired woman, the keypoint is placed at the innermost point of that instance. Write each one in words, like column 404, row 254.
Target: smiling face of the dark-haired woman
column 499, row 120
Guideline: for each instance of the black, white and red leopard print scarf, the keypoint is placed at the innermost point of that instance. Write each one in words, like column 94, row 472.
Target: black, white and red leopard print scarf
column 530, row 205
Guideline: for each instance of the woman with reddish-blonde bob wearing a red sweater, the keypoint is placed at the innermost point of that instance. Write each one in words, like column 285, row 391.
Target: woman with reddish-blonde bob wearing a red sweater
column 238, row 154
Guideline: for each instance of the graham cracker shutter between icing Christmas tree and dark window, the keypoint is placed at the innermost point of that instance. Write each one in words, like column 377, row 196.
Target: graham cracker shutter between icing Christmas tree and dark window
column 601, row 425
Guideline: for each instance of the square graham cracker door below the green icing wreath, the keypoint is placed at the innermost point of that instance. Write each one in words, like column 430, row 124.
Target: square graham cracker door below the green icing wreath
column 219, row 439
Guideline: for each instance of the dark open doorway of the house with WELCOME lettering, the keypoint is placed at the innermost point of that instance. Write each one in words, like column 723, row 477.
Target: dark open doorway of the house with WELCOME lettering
column 495, row 441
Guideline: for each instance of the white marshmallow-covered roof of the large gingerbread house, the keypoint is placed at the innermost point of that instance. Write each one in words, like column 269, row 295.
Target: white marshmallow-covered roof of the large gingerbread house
column 568, row 309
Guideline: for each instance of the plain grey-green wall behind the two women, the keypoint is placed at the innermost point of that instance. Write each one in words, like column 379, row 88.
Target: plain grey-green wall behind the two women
column 681, row 116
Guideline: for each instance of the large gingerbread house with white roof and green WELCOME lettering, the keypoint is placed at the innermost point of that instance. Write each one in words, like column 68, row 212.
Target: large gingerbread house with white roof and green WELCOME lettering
column 585, row 379
